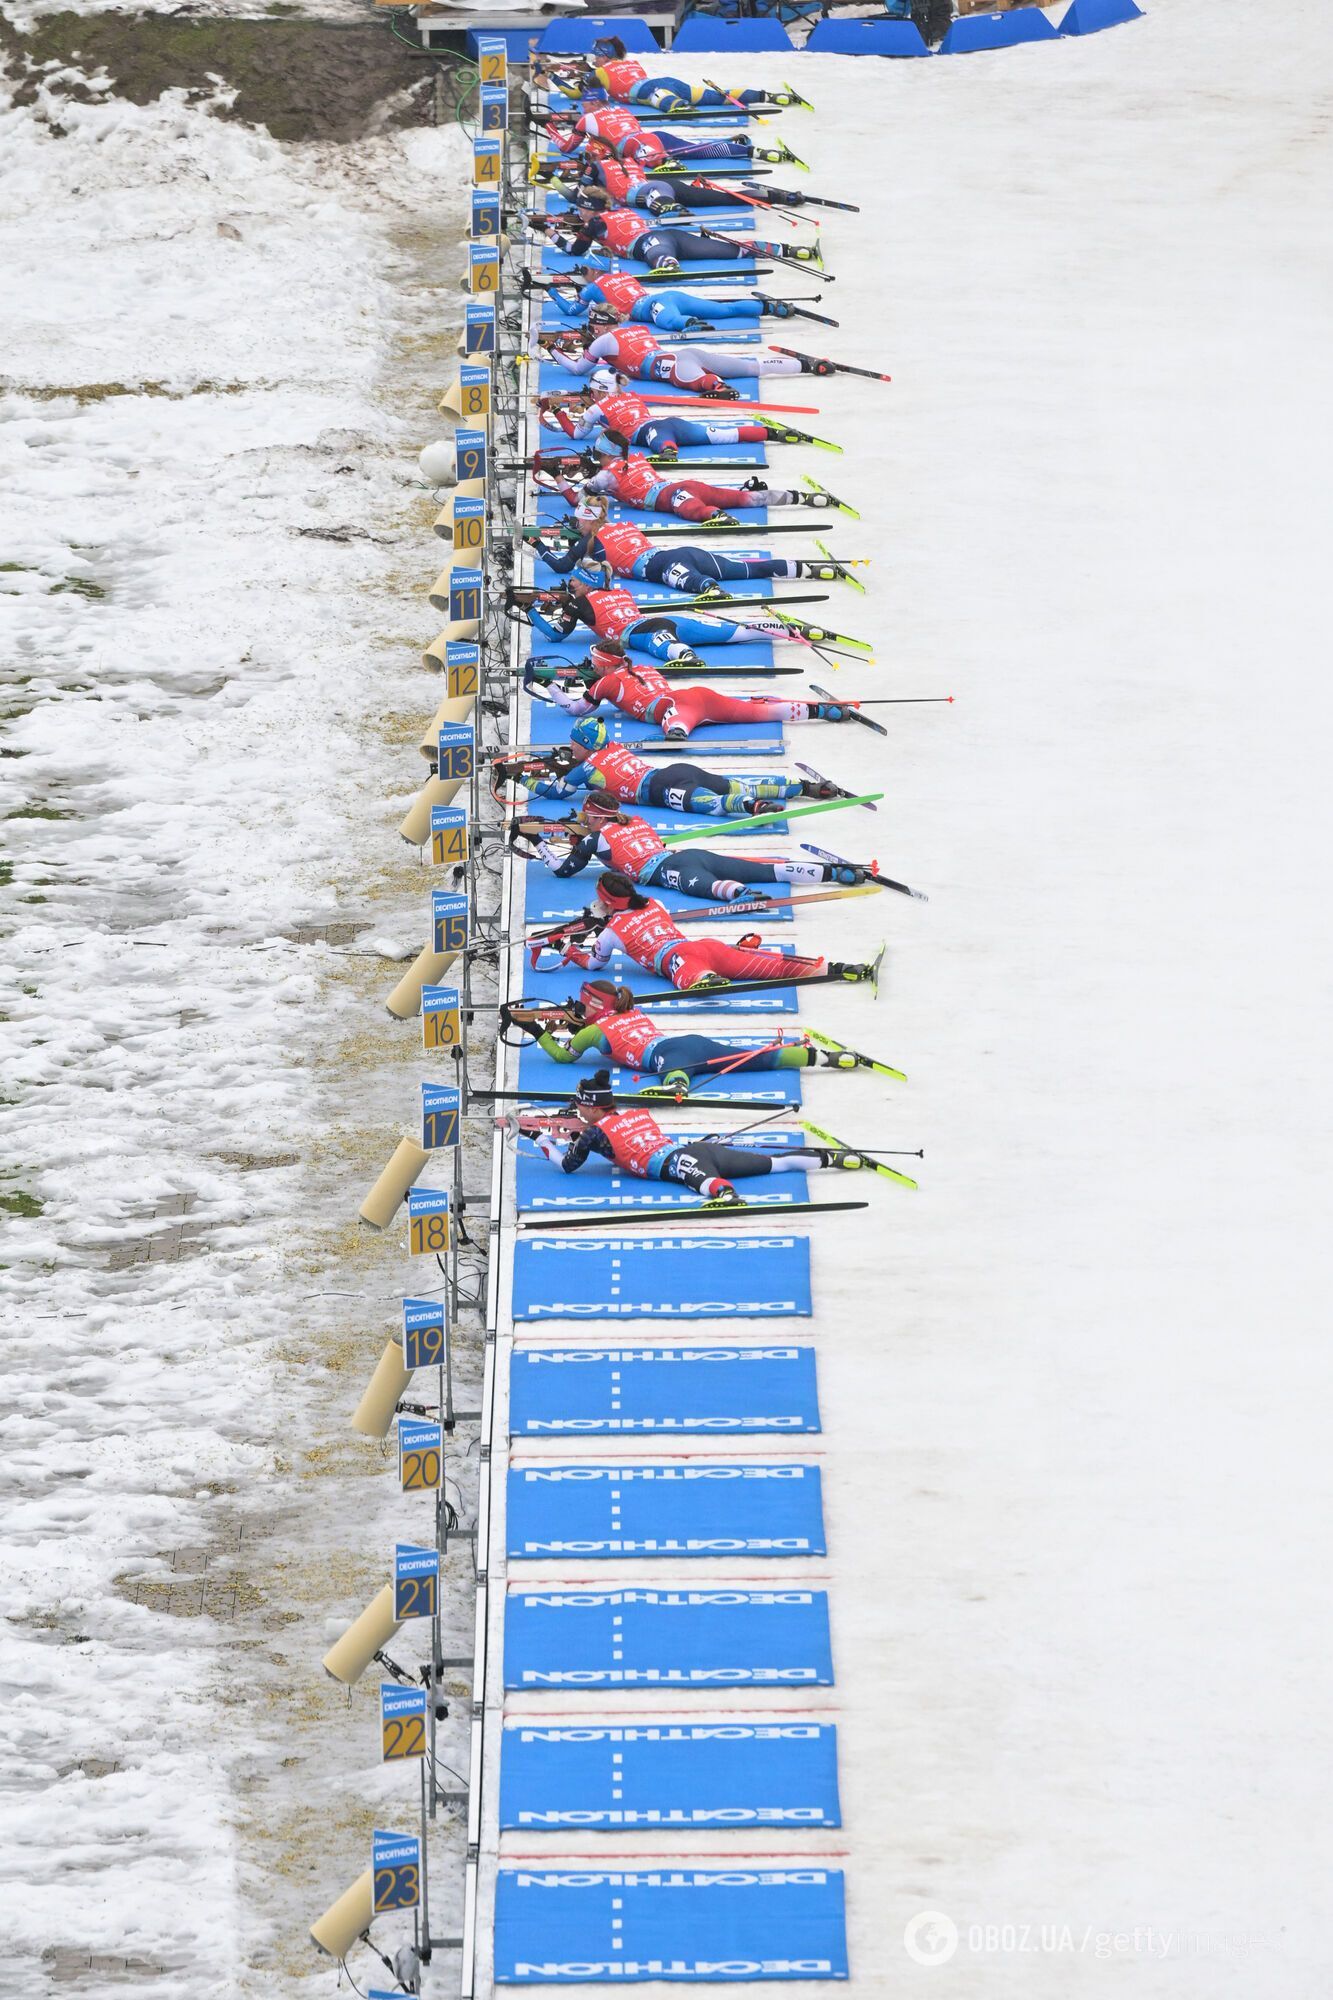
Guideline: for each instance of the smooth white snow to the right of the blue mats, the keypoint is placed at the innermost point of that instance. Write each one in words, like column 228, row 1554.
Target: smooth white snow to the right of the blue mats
column 1076, row 1413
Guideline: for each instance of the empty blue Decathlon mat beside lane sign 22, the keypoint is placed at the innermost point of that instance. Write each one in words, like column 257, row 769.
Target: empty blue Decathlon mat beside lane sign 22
column 678, row 1775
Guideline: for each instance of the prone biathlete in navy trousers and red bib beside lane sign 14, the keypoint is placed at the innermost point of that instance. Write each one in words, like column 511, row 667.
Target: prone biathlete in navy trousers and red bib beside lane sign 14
column 601, row 831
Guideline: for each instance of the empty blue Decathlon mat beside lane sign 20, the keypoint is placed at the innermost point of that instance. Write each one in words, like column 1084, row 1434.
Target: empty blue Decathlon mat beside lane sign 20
column 686, row 1509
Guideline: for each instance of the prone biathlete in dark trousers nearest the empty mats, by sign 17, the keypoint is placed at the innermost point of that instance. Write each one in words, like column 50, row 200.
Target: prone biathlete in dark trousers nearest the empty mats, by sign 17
column 635, row 1143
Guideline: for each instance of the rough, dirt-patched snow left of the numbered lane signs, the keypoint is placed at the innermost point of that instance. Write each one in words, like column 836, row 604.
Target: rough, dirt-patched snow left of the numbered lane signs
column 211, row 623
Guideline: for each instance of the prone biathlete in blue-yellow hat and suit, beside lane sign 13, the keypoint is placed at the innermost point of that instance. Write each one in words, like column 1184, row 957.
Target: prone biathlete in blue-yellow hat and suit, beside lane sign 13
column 591, row 763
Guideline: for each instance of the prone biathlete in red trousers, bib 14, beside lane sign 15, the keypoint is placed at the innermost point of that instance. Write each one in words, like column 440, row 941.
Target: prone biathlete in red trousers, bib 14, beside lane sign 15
column 623, row 921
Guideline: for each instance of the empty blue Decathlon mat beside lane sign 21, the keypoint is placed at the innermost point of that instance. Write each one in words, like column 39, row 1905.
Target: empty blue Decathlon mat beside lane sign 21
column 668, row 1639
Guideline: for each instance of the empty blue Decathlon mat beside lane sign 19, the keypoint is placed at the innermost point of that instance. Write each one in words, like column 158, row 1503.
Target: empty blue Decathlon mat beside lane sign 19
column 575, row 1393
